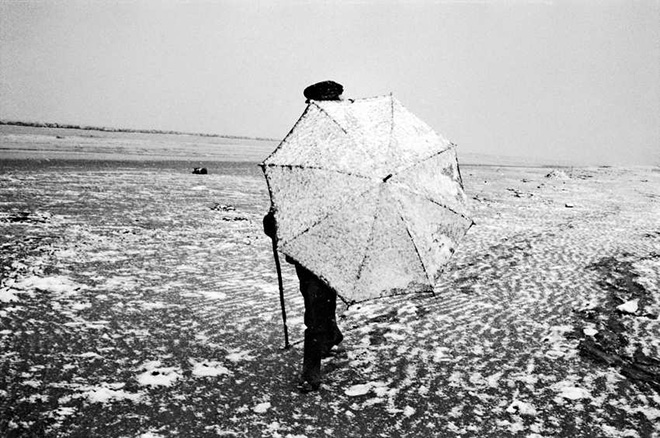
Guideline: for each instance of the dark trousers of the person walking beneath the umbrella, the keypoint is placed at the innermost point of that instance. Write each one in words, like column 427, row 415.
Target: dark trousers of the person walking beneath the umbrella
column 321, row 331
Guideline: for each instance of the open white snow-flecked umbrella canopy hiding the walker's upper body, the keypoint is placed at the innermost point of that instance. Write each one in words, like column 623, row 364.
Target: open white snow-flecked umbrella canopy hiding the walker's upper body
column 368, row 197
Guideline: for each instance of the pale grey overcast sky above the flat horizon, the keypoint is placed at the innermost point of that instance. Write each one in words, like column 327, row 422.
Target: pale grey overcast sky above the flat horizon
column 576, row 80
